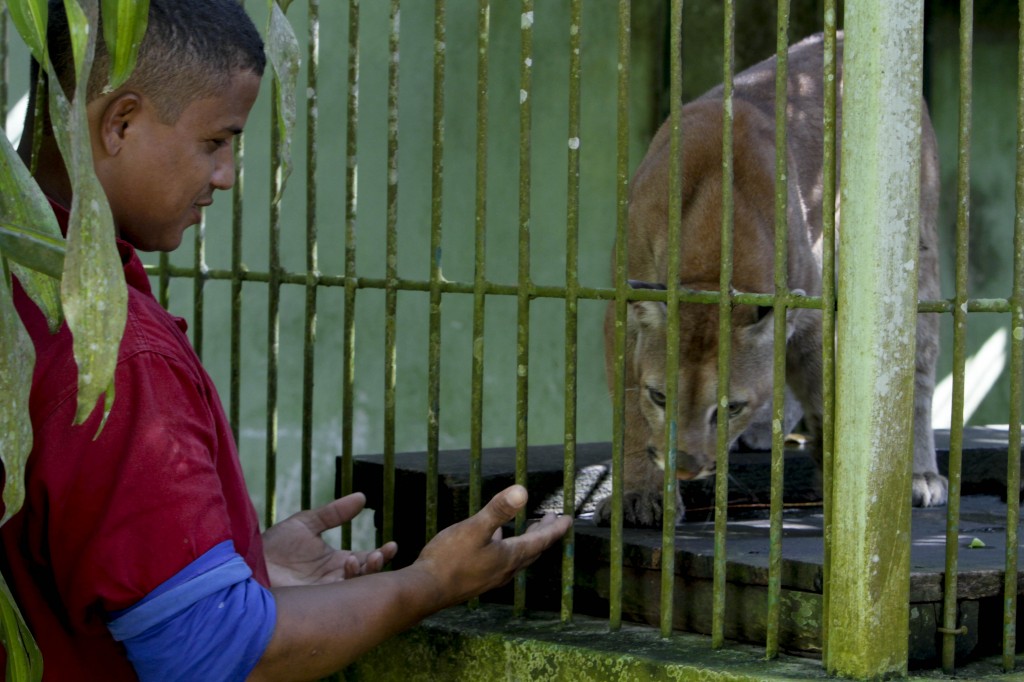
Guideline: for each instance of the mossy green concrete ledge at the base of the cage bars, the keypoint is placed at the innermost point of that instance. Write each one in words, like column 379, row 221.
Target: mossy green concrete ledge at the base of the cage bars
column 489, row 644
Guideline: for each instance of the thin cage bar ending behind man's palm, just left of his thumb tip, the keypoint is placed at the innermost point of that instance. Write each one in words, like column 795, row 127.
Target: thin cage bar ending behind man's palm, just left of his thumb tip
column 481, row 242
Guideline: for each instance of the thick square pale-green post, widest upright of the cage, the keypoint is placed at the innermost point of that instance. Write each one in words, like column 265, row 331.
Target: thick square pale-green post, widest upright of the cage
column 881, row 186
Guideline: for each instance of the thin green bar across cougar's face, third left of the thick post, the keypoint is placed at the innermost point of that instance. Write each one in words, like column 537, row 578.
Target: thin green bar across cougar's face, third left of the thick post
column 724, row 338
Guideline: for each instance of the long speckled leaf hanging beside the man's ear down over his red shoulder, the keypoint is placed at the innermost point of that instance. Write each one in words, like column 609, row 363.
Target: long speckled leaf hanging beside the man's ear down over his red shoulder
column 93, row 288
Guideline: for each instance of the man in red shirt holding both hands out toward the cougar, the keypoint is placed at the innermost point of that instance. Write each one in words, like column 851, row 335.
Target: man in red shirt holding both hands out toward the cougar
column 139, row 553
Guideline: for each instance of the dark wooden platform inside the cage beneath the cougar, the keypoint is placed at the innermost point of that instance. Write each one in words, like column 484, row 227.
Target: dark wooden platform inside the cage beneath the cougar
column 980, row 571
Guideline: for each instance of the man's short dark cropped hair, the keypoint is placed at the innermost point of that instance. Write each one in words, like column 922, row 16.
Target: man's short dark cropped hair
column 191, row 51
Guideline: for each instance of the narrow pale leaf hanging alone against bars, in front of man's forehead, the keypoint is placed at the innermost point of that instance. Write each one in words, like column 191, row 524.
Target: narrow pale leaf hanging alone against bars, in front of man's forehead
column 283, row 53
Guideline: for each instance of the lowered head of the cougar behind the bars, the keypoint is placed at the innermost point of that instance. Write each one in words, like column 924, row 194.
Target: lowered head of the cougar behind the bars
column 698, row 408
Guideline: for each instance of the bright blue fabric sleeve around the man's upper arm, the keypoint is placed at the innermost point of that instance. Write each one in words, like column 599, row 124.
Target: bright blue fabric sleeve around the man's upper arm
column 212, row 621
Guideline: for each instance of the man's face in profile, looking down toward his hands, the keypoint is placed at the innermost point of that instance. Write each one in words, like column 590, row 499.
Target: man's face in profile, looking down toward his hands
column 163, row 175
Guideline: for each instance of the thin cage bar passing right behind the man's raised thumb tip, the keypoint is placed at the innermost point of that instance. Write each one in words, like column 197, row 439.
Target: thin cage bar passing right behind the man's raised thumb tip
column 525, row 284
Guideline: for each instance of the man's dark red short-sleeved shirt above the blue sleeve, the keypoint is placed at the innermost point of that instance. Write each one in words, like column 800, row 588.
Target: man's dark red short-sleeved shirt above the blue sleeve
column 107, row 521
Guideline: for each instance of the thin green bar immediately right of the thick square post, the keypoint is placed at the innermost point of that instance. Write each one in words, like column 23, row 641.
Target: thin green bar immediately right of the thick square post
column 951, row 628
